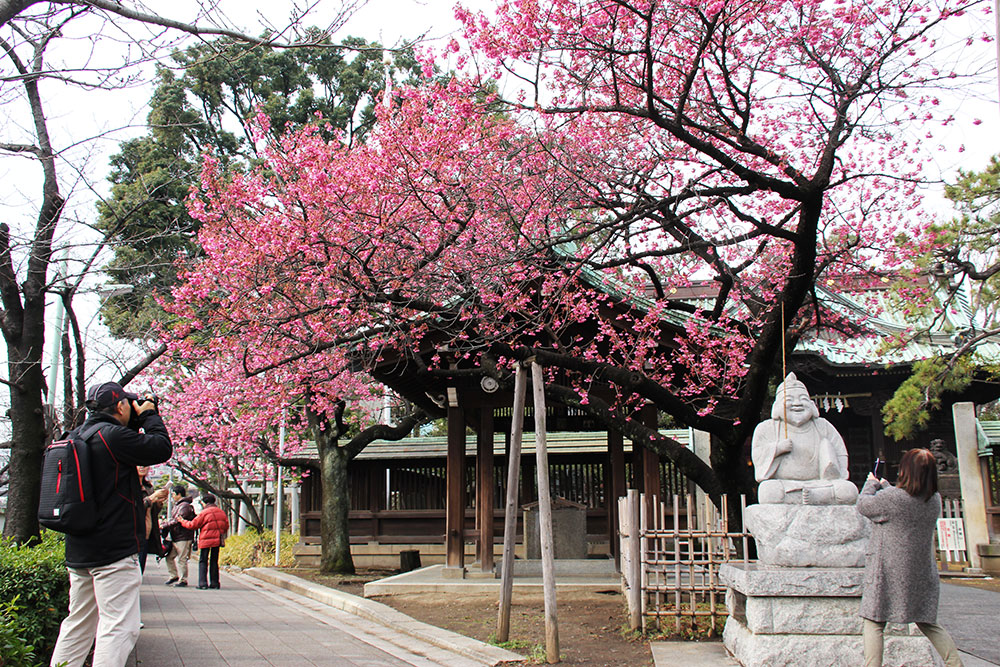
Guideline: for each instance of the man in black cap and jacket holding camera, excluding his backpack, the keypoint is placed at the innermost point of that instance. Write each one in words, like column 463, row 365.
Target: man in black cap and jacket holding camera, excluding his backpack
column 103, row 563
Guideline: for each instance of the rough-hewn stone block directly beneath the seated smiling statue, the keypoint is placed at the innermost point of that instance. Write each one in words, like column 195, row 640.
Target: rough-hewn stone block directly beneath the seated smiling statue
column 809, row 535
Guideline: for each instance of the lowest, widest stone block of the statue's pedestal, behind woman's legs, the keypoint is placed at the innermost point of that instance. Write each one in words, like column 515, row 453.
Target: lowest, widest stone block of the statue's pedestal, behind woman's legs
column 796, row 650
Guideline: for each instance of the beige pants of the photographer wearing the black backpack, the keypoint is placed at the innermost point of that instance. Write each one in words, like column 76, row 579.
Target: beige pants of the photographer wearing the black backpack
column 103, row 601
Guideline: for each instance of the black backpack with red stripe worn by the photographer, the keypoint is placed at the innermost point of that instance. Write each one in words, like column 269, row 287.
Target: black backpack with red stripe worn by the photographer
column 67, row 502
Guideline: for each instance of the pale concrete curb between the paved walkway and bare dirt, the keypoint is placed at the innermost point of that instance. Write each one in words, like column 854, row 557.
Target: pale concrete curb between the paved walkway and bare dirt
column 387, row 616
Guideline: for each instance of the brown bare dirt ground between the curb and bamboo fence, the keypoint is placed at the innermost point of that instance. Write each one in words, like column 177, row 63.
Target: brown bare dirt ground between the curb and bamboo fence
column 592, row 626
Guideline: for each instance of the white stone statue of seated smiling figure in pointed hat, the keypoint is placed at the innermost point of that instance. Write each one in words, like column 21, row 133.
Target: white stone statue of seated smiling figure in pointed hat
column 799, row 457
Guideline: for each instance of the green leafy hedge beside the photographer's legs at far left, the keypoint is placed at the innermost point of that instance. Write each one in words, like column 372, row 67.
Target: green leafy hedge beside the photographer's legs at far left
column 33, row 578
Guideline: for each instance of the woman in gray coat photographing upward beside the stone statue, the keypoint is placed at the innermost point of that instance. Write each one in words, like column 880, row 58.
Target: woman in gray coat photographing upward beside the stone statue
column 901, row 579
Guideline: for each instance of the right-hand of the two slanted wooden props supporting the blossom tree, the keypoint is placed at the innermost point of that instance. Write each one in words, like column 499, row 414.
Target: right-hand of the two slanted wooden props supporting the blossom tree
column 545, row 519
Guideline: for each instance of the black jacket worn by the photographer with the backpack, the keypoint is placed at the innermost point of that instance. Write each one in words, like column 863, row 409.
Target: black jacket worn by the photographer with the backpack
column 115, row 451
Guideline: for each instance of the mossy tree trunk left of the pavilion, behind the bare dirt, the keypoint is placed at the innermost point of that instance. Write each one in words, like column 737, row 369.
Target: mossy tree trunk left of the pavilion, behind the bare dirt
column 336, row 540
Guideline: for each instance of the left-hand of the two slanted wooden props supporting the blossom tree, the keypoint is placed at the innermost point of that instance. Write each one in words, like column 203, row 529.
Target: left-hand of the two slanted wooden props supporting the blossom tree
column 510, row 511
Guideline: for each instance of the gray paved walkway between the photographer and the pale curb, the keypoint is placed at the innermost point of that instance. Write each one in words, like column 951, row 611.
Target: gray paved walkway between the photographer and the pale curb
column 250, row 624
